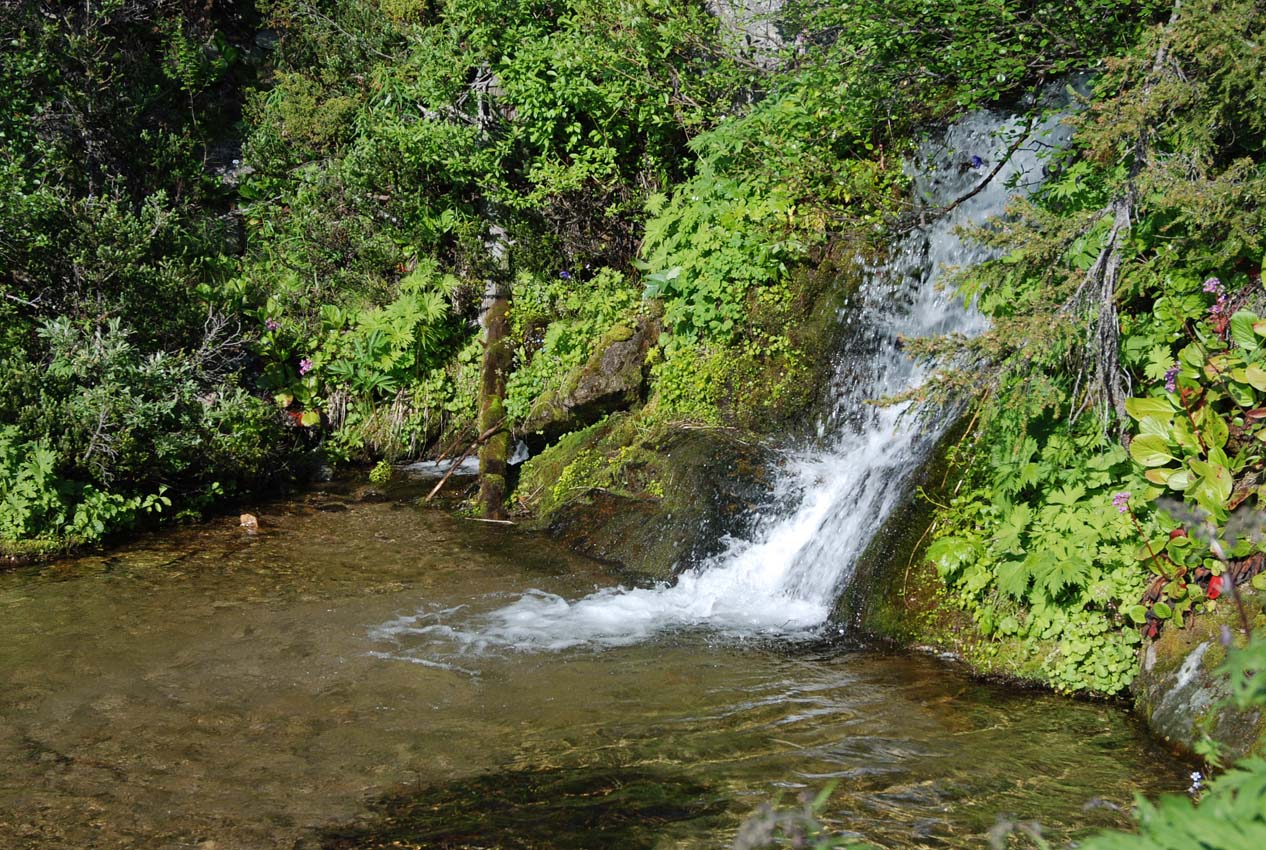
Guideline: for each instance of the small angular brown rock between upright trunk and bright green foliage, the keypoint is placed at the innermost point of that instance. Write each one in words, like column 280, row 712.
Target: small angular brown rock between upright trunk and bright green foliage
column 615, row 379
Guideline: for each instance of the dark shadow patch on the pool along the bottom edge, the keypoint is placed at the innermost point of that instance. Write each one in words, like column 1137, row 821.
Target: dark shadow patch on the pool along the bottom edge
column 561, row 809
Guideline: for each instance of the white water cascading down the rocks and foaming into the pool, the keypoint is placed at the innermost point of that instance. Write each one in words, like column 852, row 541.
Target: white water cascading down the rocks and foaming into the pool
column 786, row 577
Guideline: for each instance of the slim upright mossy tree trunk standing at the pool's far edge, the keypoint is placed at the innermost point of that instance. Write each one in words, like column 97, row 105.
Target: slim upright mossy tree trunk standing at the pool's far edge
column 496, row 452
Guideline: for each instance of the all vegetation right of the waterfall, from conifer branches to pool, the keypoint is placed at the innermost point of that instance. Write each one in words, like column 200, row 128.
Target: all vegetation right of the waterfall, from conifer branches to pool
column 1124, row 316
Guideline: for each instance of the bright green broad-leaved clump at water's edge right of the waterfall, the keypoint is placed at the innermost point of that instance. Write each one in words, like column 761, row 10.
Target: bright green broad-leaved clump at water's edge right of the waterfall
column 1037, row 554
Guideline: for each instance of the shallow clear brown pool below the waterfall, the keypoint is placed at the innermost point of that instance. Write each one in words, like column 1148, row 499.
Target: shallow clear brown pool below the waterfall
column 216, row 688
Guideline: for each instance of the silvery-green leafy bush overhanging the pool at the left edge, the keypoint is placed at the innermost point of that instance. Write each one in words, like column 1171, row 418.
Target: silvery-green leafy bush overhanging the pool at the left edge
column 104, row 434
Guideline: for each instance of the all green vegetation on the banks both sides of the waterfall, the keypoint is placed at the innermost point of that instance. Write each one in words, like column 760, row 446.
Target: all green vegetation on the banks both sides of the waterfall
column 242, row 240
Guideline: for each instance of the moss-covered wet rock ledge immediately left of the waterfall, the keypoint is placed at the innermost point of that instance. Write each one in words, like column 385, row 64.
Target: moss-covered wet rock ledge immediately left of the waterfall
column 621, row 474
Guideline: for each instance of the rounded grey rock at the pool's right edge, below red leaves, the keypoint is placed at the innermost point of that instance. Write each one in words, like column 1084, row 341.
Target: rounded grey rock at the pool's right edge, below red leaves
column 1179, row 691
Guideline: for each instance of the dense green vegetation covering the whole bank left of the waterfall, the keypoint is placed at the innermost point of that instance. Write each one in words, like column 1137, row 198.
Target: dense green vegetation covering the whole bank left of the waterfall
column 241, row 240
